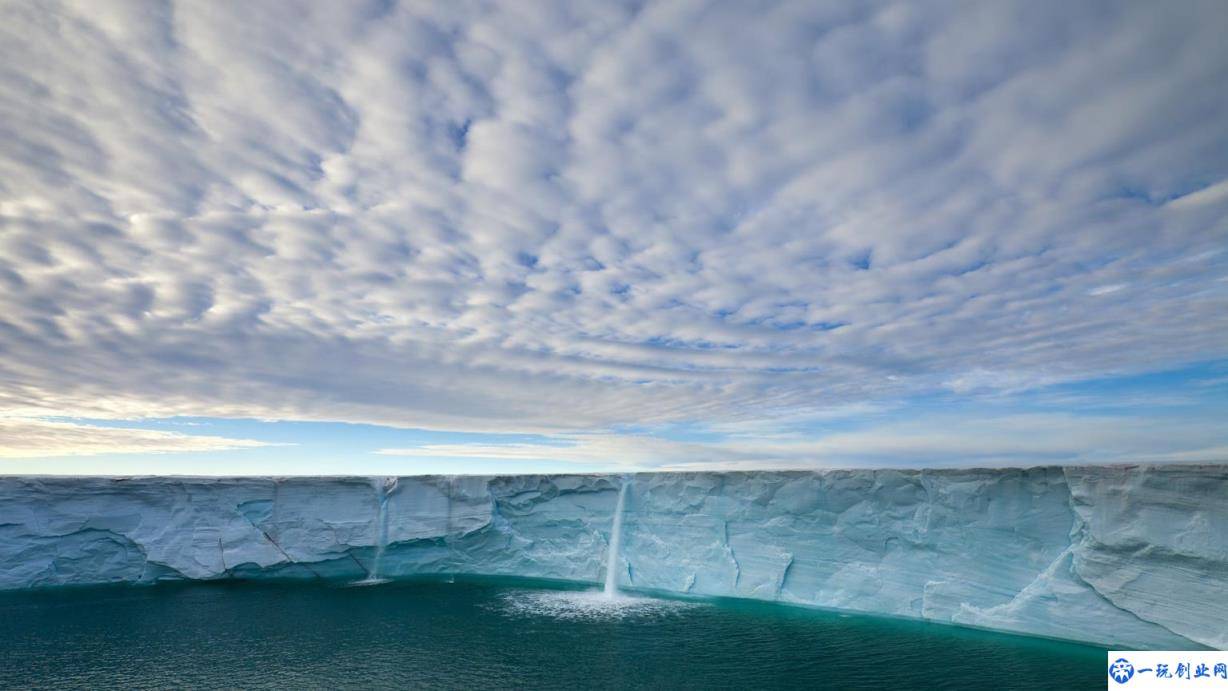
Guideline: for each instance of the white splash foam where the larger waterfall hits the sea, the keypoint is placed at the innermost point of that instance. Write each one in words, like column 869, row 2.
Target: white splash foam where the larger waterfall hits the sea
column 588, row 606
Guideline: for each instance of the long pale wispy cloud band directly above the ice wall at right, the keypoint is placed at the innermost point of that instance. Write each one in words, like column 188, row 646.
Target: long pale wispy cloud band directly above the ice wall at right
column 929, row 441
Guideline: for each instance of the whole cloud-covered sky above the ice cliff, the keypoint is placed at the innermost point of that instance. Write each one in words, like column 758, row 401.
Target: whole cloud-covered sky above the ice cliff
column 380, row 237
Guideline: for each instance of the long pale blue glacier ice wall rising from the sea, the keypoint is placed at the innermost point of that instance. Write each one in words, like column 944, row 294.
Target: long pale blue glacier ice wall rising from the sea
column 1117, row 555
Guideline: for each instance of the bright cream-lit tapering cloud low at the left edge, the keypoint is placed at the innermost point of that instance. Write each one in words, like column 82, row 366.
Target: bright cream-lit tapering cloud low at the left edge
column 45, row 439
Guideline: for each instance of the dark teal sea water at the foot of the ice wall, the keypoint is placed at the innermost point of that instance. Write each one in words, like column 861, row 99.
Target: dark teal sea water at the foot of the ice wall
column 487, row 635
